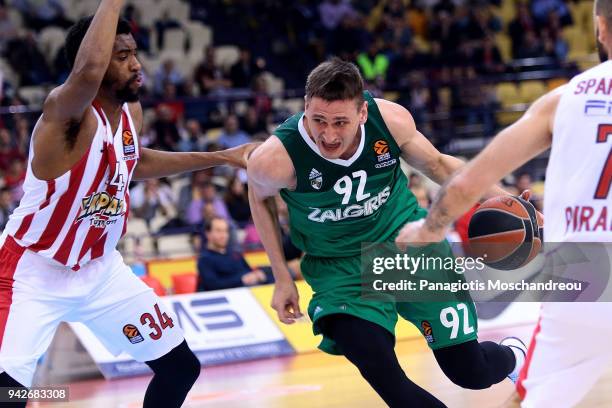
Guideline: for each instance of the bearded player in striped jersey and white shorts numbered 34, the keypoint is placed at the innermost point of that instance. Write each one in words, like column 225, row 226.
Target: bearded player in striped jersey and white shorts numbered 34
column 58, row 260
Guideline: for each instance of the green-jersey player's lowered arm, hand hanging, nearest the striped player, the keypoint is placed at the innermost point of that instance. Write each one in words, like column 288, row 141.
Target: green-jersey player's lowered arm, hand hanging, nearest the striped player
column 269, row 170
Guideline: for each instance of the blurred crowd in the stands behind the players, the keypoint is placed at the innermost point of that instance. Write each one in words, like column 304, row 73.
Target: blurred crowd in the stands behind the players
column 219, row 73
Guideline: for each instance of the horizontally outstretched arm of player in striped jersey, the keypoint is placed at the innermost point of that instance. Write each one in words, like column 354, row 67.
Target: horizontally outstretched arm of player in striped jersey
column 156, row 163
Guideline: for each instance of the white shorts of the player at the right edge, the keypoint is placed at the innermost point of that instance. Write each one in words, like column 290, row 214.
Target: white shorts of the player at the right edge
column 569, row 351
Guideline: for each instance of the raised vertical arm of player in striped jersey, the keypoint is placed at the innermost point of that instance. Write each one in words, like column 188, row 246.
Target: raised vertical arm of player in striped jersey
column 68, row 102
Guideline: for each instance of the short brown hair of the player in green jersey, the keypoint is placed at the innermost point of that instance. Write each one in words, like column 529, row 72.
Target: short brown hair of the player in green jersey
column 335, row 80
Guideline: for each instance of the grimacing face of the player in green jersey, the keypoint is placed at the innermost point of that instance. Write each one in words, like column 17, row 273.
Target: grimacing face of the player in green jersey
column 334, row 126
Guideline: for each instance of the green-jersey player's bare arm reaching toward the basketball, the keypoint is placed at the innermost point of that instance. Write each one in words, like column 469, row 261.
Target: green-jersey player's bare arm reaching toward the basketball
column 417, row 150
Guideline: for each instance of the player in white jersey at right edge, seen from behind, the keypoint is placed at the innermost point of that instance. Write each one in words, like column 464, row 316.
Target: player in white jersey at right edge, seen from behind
column 570, row 346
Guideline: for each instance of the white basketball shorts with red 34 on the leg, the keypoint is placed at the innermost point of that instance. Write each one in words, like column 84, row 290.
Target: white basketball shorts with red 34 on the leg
column 36, row 294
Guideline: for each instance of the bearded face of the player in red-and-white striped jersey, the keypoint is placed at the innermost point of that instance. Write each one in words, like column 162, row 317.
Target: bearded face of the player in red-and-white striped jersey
column 124, row 77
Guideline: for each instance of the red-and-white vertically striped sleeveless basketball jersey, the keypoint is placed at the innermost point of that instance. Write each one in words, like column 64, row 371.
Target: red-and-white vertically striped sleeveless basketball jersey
column 82, row 214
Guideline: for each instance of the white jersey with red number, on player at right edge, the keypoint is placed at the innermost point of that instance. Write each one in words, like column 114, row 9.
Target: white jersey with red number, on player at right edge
column 577, row 192
